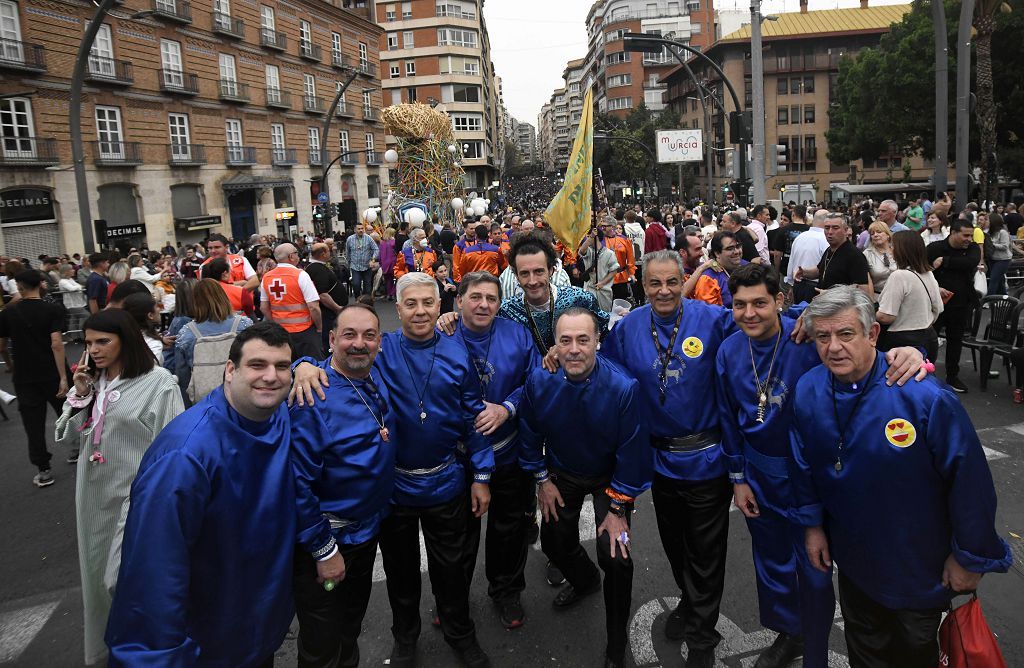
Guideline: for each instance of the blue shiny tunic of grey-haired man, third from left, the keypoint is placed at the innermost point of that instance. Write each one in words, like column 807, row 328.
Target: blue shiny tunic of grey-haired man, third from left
column 429, row 471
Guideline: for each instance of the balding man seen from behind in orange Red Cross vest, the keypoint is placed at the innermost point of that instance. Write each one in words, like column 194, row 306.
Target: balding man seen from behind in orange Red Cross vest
column 289, row 298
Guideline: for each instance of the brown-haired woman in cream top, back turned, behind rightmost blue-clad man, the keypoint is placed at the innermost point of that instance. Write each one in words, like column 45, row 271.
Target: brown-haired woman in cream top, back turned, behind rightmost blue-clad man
column 911, row 302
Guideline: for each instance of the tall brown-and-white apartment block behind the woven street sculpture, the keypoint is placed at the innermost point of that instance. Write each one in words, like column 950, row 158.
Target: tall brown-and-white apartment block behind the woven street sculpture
column 439, row 53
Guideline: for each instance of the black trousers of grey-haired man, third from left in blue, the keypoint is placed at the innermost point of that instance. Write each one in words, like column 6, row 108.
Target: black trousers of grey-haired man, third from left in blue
column 446, row 534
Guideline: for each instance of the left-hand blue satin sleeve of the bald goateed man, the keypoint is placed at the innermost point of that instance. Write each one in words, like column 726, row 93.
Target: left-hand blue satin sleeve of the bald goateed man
column 310, row 436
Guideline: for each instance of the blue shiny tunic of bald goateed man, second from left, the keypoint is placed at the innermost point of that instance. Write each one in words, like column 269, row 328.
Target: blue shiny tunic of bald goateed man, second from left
column 345, row 470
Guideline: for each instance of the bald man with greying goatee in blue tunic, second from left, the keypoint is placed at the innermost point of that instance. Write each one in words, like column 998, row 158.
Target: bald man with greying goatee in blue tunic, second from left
column 344, row 458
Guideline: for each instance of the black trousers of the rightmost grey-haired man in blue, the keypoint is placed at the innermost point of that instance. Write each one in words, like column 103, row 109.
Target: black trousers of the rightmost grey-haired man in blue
column 880, row 638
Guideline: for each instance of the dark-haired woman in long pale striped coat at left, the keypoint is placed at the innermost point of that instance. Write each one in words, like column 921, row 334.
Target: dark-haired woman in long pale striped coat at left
column 120, row 402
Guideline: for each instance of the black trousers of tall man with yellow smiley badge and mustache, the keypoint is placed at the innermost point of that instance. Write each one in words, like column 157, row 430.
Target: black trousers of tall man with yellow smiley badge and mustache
column 694, row 523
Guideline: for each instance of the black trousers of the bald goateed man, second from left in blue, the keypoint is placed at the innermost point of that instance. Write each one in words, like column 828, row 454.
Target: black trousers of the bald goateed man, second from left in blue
column 330, row 621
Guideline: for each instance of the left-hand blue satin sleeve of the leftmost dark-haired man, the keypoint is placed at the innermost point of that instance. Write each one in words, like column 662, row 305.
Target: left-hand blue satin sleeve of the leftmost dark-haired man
column 148, row 624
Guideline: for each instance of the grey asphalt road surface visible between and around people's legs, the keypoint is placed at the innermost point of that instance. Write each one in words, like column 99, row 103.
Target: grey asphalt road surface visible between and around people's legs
column 40, row 600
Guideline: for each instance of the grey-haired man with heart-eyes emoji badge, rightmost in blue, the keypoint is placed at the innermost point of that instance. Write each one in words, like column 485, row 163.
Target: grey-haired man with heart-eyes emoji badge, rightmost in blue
column 917, row 451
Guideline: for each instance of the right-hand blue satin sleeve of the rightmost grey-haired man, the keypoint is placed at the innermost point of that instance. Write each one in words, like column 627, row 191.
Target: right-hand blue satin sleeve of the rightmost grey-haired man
column 961, row 462
